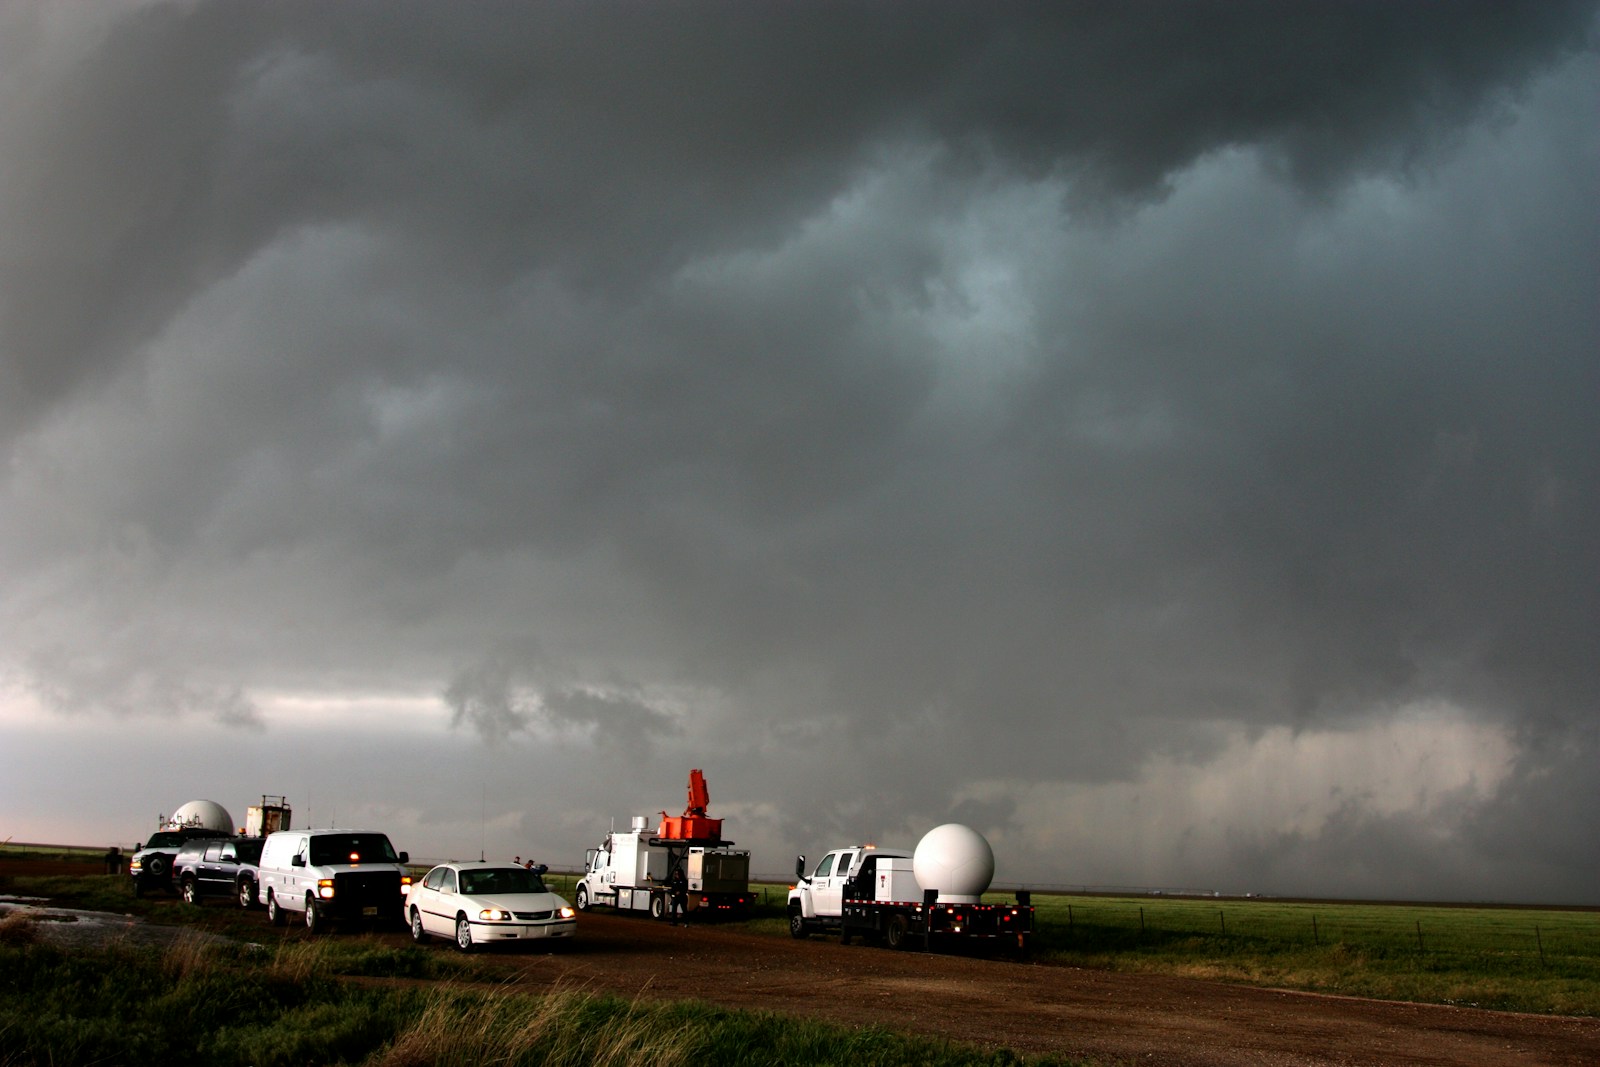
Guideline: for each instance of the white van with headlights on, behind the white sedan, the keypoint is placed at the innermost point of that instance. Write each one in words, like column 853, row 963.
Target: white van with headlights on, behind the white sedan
column 332, row 876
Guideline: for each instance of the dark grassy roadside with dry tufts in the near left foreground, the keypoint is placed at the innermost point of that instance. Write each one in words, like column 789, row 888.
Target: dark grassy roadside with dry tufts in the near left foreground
column 234, row 1004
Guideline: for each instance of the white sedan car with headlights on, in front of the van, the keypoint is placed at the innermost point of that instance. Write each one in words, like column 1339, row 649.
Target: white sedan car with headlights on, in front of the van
column 481, row 905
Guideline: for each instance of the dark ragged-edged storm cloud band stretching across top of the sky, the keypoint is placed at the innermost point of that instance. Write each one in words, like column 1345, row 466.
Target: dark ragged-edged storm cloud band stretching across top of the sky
column 607, row 140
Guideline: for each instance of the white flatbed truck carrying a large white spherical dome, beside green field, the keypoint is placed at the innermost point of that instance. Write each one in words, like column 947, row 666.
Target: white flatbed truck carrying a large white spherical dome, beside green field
column 905, row 898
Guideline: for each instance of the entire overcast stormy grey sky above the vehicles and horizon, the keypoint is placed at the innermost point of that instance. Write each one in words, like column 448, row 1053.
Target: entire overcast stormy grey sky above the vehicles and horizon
column 1161, row 436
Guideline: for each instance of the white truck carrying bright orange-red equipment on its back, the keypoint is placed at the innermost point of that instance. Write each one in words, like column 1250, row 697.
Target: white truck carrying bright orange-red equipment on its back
column 634, row 871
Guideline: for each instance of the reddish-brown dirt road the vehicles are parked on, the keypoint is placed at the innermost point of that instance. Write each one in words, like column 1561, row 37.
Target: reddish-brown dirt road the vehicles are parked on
column 1028, row 1007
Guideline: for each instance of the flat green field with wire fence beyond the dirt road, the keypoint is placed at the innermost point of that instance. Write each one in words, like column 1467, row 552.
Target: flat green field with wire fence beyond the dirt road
column 1514, row 959
